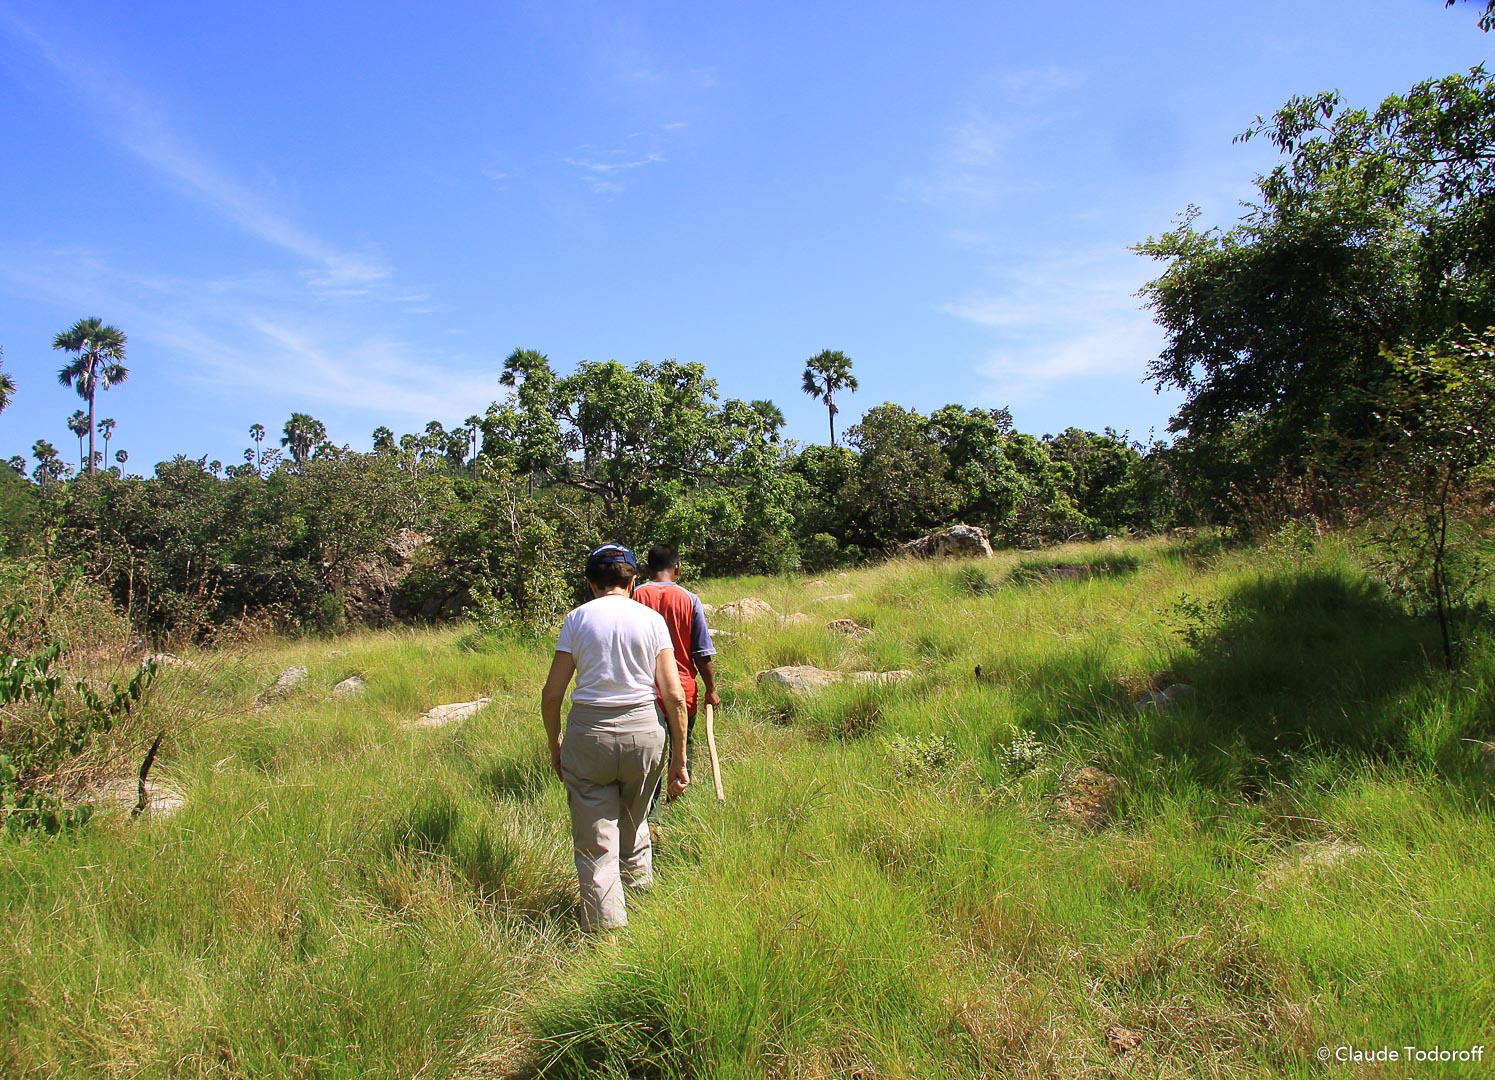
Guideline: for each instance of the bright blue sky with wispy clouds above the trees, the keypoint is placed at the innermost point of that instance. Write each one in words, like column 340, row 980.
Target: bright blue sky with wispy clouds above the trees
column 360, row 210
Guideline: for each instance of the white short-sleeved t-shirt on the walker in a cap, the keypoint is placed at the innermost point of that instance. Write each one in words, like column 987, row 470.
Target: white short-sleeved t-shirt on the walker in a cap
column 617, row 645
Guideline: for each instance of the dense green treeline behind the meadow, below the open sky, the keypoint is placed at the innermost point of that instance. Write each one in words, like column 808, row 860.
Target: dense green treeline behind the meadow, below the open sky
column 496, row 518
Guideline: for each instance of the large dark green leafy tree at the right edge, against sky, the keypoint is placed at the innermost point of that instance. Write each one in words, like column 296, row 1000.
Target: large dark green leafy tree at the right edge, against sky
column 1372, row 231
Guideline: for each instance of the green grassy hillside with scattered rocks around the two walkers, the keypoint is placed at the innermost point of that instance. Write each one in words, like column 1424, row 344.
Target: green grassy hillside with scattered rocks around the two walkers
column 1297, row 856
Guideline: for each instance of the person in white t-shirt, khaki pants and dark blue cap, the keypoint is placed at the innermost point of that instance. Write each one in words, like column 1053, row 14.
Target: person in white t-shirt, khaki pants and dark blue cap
column 612, row 756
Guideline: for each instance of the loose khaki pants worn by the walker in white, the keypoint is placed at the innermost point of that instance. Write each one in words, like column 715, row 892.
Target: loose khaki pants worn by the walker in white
column 612, row 761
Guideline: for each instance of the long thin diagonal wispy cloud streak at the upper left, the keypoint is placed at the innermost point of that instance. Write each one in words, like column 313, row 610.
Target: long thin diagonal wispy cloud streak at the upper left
column 140, row 125
